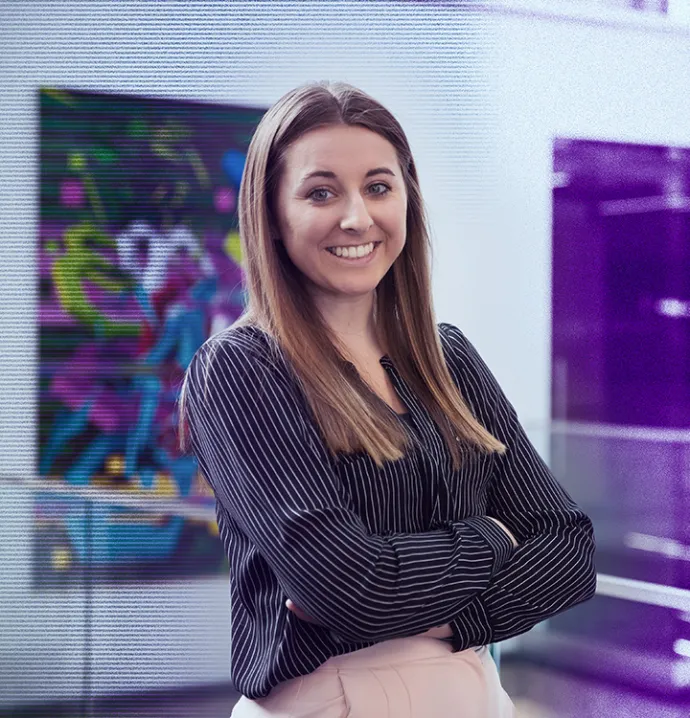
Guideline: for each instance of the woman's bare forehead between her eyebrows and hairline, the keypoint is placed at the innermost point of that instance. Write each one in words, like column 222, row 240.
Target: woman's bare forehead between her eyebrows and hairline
column 342, row 149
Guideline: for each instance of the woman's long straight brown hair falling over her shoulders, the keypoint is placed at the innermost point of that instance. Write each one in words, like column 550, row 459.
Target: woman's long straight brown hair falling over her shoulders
column 348, row 413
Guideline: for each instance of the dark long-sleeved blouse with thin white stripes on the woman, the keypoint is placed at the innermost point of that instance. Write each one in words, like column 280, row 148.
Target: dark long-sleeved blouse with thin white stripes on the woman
column 373, row 554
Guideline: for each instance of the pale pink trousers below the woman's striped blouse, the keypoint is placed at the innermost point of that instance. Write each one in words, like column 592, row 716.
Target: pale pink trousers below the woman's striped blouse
column 416, row 677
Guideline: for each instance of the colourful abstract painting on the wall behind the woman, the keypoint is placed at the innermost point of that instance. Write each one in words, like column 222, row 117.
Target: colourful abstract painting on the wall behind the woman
column 139, row 262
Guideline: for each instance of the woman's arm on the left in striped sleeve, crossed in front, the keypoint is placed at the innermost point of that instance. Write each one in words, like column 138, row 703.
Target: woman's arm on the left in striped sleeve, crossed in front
column 269, row 469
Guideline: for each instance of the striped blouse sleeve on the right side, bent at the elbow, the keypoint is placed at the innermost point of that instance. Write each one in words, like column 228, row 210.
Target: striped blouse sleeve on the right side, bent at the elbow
column 553, row 568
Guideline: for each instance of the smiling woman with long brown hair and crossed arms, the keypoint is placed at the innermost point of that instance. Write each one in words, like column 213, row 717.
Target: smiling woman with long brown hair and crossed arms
column 384, row 514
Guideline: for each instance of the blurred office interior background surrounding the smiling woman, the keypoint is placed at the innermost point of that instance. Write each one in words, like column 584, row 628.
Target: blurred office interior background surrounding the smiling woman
column 553, row 144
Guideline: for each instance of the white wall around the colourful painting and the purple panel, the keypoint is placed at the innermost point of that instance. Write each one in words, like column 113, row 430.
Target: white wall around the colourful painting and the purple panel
column 483, row 144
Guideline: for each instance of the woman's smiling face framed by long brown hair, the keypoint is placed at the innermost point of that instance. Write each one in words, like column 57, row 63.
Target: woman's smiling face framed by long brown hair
column 342, row 193
